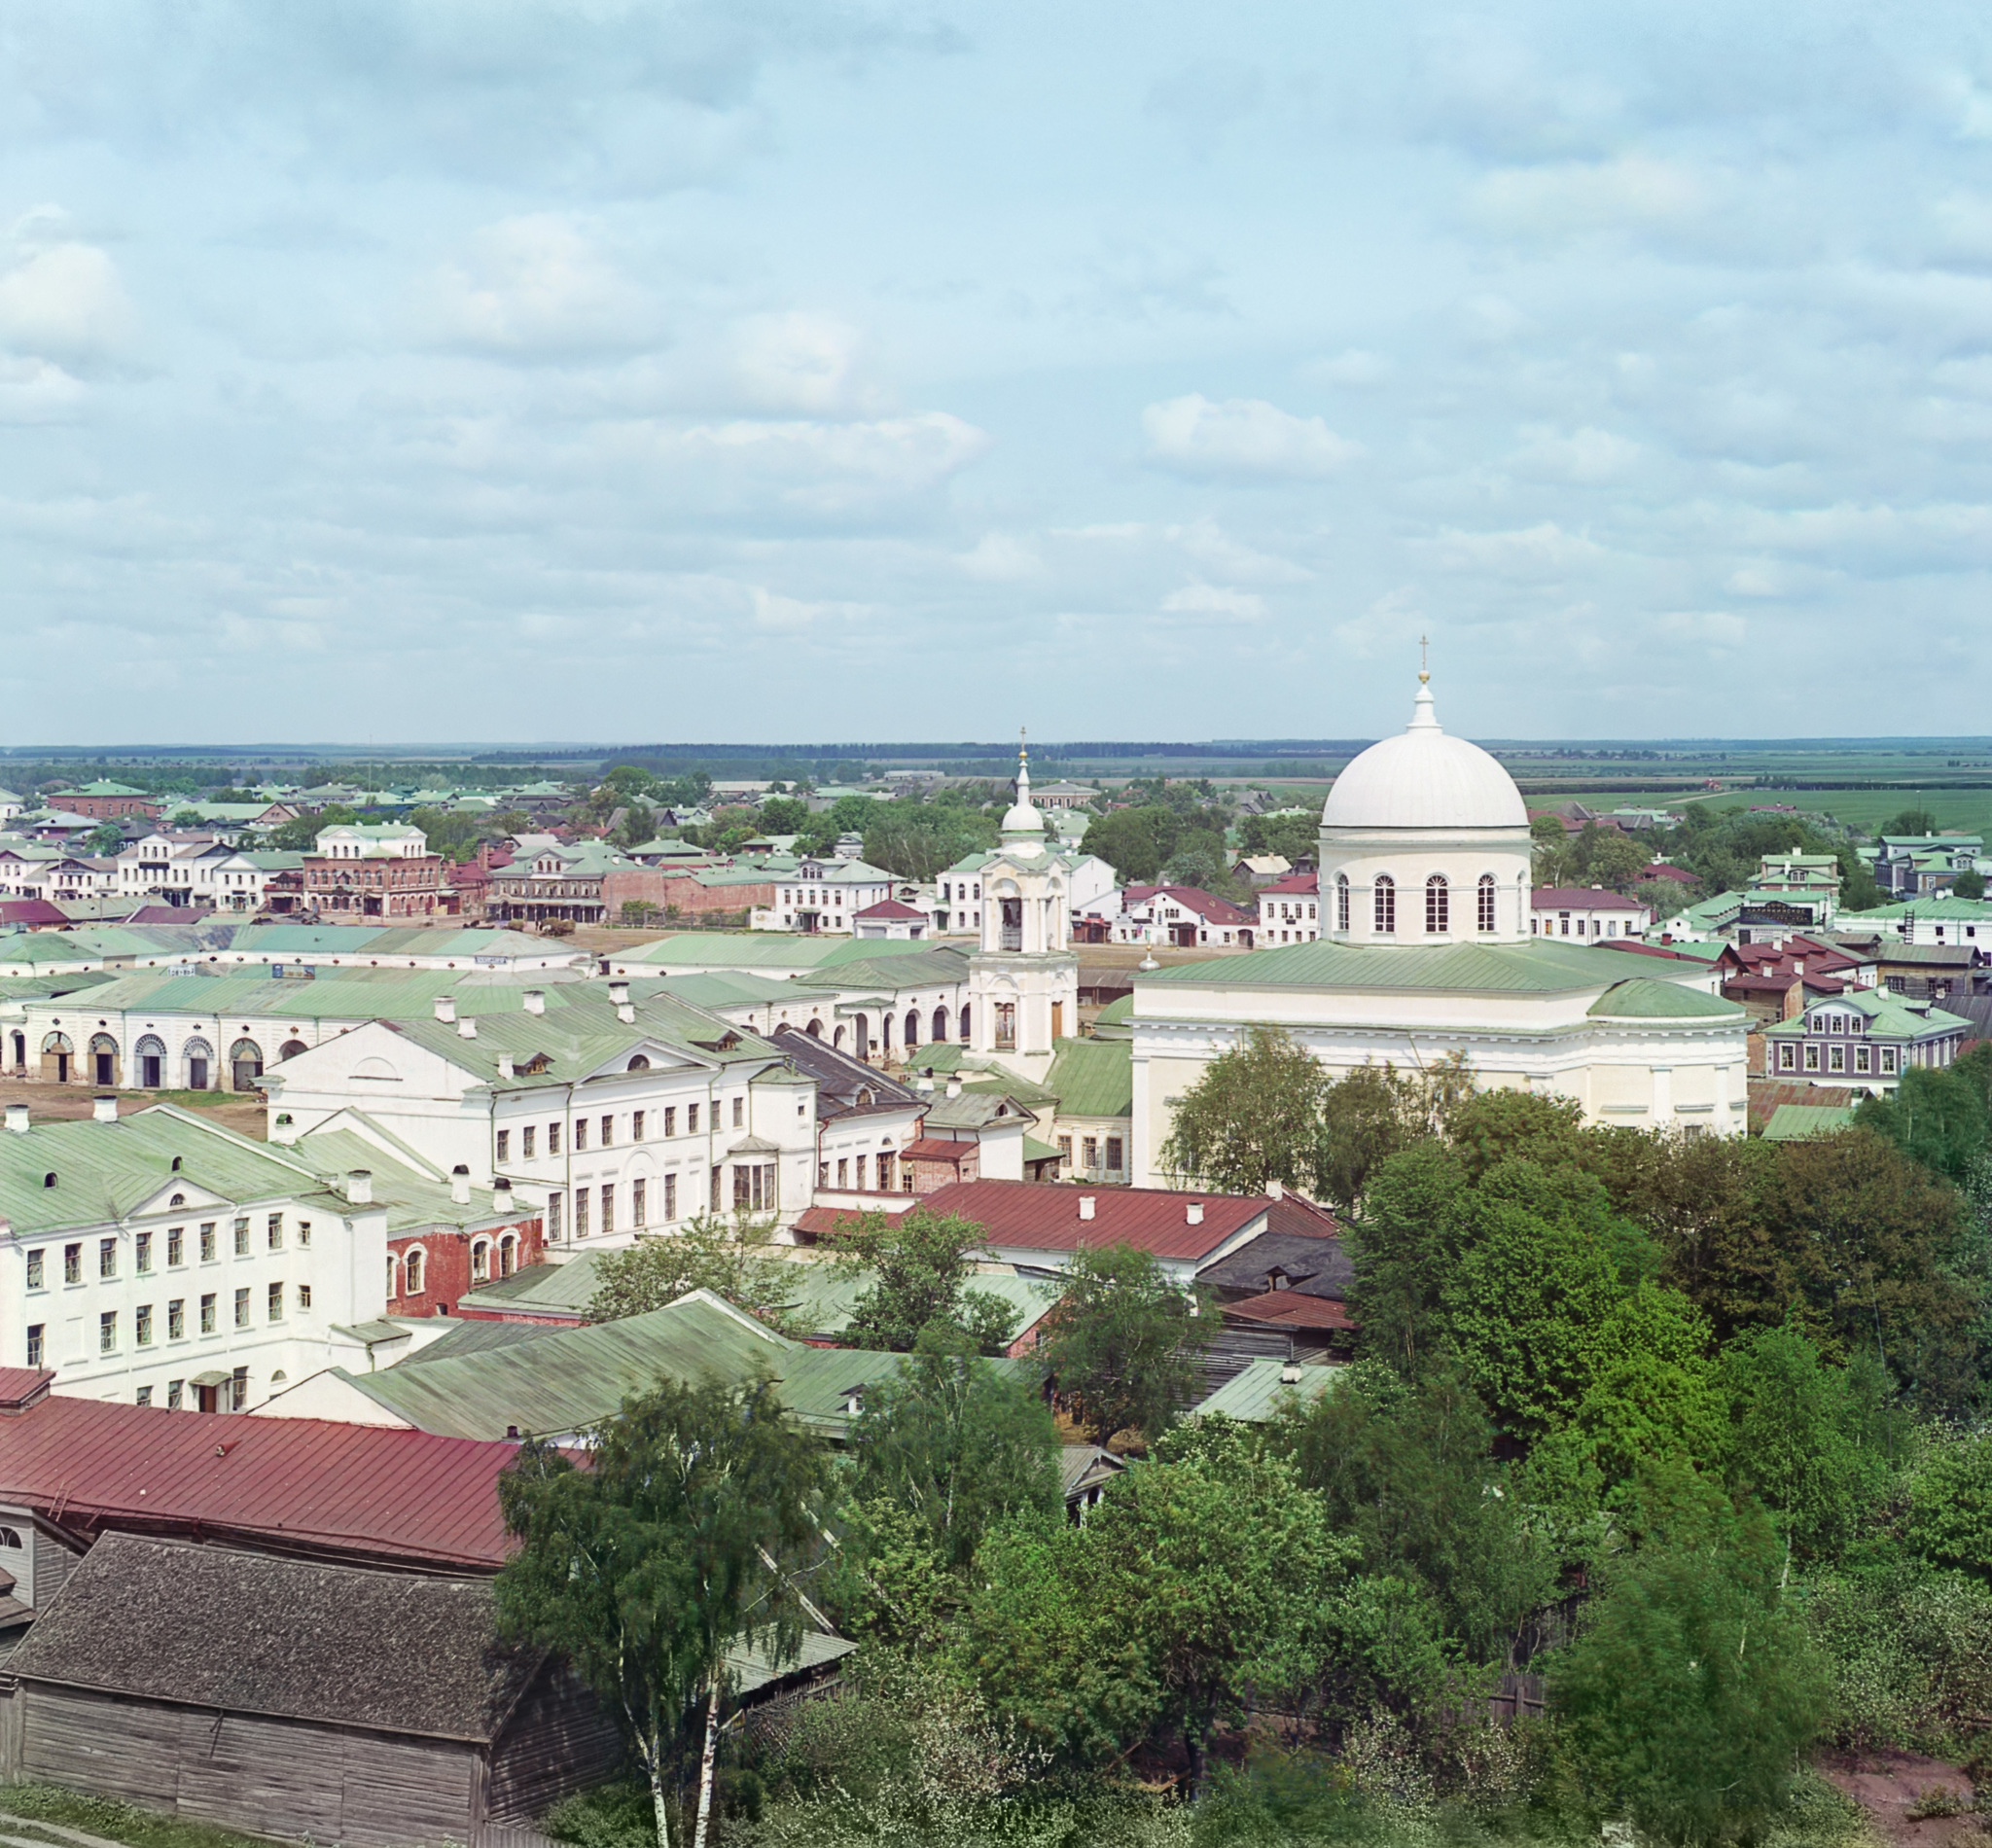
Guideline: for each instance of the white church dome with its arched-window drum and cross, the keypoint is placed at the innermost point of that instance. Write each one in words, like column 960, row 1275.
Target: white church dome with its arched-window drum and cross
column 1431, row 817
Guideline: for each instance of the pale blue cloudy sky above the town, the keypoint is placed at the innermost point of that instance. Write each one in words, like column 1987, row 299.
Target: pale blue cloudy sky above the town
column 862, row 371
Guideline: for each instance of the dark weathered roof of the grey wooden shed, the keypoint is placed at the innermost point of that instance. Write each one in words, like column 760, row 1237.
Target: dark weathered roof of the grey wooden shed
column 232, row 1632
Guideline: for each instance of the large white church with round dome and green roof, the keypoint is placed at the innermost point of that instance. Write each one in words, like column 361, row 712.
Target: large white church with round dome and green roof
column 1425, row 951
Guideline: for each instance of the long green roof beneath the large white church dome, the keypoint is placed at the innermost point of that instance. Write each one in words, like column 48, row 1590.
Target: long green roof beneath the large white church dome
column 1453, row 969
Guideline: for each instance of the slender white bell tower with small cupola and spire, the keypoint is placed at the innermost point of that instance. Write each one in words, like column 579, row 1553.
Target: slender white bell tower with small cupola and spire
column 1025, row 981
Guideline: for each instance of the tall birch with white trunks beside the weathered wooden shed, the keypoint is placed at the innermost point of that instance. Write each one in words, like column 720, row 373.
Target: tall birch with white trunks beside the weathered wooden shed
column 682, row 1538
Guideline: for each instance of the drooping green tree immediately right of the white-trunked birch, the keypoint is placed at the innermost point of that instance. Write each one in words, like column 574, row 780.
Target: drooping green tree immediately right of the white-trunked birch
column 959, row 1447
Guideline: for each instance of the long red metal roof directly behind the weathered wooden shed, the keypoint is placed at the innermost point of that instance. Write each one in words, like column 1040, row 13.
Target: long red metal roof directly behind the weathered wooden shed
column 354, row 1493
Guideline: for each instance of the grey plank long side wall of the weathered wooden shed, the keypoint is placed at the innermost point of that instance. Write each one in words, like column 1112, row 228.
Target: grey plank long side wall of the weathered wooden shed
column 264, row 1775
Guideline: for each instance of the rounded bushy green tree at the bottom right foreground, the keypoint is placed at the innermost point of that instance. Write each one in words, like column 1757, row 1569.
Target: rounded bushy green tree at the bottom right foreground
column 1692, row 1686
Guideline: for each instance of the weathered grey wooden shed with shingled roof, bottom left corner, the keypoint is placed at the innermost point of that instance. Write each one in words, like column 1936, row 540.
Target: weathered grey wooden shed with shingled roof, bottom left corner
column 290, row 1698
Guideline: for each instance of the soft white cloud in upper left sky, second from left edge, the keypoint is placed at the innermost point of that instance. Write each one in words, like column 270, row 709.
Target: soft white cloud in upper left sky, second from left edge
column 537, row 288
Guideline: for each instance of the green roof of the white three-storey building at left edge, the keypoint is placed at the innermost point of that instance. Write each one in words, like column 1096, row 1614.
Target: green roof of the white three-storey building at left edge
column 111, row 1170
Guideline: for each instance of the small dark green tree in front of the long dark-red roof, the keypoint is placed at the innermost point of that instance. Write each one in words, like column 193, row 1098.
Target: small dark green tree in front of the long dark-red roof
column 1124, row 1341
